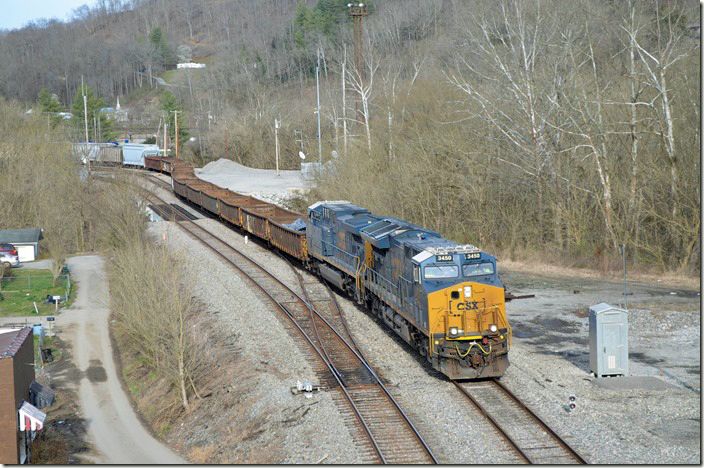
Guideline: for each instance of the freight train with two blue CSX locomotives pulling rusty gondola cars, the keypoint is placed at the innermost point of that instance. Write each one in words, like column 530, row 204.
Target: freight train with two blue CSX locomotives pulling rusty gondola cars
column 445, row 300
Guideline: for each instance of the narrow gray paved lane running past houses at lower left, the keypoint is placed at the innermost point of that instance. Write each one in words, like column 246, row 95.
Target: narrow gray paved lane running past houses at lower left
column 113, row 427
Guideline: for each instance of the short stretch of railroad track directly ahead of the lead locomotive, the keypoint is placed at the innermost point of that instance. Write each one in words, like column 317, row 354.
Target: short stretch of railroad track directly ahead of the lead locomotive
column 532, row 440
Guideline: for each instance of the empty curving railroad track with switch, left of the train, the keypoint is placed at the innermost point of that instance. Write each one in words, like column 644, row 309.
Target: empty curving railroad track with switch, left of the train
column 339, row 366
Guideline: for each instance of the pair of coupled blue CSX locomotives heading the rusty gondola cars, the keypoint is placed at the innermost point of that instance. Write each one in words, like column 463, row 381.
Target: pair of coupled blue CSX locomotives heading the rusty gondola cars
column 444, row 299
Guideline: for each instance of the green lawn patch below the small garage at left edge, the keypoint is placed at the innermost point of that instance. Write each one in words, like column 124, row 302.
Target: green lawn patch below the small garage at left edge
column 25, row 287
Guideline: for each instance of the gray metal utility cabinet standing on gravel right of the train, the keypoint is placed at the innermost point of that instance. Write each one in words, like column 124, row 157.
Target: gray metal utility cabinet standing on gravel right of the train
column 608, row 340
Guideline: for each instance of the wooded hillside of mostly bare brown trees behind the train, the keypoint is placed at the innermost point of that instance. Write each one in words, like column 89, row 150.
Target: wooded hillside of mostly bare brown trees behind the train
column 549, row 129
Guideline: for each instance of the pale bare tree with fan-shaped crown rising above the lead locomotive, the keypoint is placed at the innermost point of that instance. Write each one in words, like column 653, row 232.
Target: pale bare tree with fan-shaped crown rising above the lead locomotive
column 513, row 77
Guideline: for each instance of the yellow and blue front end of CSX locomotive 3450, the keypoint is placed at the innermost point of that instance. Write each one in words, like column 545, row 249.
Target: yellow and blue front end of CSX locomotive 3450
column 469, row 335
